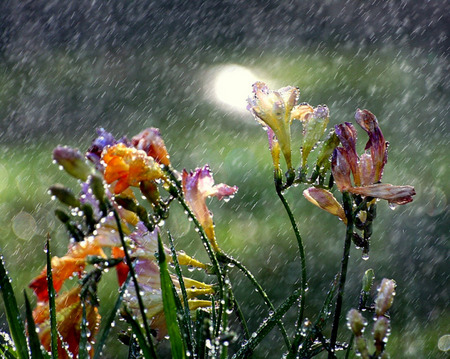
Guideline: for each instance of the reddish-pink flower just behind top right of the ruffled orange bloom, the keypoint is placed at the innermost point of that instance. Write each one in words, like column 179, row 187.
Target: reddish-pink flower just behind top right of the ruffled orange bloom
column 151, row 142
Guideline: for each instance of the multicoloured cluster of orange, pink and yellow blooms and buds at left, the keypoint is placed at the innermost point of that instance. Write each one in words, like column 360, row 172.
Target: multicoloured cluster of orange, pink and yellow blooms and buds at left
column 106, row 194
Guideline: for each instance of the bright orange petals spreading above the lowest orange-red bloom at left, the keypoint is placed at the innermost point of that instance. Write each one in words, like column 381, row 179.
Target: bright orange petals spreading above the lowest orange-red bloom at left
column 63, row 268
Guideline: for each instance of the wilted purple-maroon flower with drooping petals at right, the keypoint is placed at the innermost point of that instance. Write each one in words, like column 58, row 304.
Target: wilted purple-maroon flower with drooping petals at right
column 366, row 169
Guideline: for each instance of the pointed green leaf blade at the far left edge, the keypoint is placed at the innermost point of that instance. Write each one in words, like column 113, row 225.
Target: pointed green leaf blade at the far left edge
column 15, row 322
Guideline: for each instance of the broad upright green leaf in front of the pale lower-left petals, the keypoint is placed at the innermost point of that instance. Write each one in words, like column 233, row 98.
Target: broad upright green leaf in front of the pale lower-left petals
column 170, row 307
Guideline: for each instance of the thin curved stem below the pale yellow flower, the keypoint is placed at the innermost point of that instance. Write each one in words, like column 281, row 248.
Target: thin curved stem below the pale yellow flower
column 303, row 265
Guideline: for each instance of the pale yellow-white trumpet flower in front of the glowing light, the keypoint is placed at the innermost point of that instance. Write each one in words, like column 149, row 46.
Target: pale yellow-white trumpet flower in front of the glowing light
column 273, row 109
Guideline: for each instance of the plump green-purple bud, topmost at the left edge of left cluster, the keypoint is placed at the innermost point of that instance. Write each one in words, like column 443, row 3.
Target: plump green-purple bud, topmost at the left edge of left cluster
column 72, row 161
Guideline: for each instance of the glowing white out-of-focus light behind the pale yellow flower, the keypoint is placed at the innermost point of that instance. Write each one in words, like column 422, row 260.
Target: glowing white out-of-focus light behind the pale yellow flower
column 233, row 85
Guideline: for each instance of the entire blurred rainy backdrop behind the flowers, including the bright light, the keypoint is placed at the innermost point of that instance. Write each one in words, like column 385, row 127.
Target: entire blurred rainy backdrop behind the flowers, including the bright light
column 187, row 70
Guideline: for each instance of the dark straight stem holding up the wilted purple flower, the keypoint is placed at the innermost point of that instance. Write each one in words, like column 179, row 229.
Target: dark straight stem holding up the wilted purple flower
column 343, row 274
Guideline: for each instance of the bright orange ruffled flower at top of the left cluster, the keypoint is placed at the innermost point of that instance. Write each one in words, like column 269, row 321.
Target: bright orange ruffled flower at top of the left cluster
column 129, row 167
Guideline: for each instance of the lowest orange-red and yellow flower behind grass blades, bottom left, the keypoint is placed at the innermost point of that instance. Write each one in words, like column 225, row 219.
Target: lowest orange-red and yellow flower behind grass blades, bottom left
column 68, row 317
